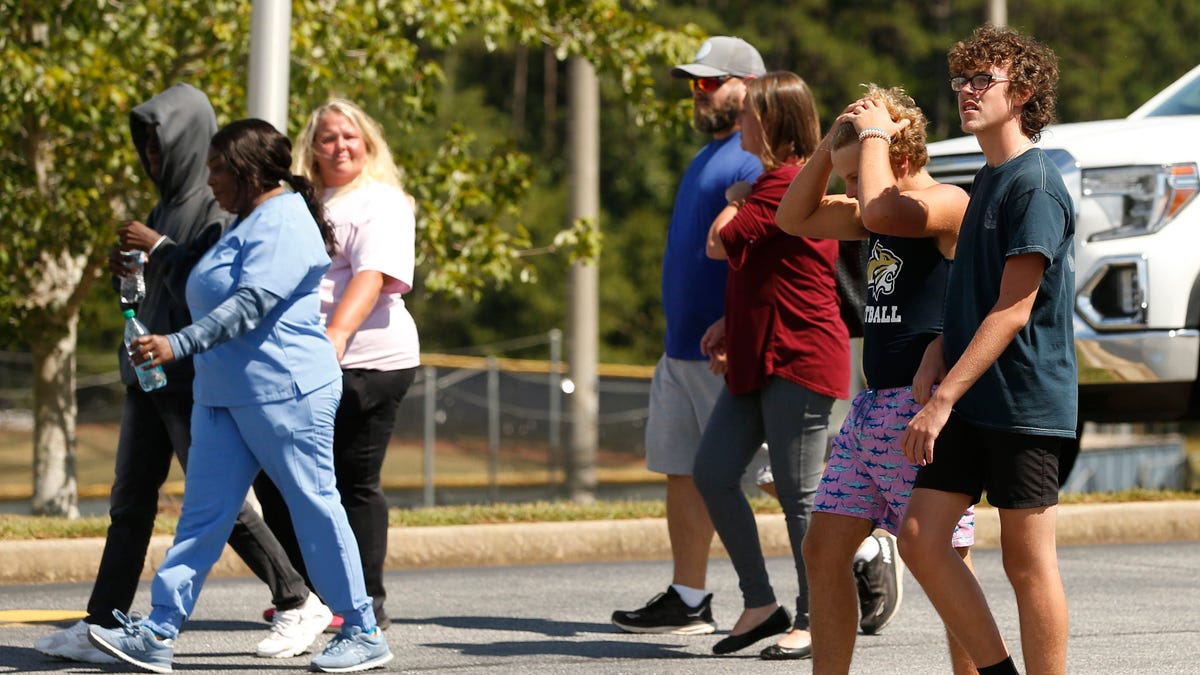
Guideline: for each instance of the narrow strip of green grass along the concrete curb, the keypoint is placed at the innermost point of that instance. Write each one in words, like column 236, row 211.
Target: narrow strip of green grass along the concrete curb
column 14, row 528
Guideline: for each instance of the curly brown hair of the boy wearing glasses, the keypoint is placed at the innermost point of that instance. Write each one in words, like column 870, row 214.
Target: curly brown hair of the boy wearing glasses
column 1033, row 69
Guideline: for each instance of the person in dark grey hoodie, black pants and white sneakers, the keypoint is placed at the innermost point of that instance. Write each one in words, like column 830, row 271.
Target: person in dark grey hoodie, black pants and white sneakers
column 172, row 134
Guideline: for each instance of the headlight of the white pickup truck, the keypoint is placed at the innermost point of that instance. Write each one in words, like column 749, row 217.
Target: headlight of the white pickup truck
column 1141, row 200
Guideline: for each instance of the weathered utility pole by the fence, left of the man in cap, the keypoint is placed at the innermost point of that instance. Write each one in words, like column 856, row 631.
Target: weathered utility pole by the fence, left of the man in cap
column 584, row 97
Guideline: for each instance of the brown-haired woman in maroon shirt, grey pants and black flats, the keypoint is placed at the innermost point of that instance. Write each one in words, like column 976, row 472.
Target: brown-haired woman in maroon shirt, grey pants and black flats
column 785, row 353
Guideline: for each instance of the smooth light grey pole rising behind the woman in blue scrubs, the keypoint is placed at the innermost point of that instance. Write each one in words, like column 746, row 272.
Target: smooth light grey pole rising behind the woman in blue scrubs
column 271, row 47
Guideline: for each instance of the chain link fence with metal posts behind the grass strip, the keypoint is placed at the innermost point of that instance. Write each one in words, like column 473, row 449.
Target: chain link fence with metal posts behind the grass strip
column 473, row 428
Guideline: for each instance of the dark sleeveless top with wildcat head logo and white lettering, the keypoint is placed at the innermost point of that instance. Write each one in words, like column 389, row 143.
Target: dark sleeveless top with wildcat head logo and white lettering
column 905, row 297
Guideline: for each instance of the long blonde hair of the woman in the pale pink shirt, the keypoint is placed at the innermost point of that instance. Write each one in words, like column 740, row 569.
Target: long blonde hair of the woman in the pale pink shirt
column 379, row 165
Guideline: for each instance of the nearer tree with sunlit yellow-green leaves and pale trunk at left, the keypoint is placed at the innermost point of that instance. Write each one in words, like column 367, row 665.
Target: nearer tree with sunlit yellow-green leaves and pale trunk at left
column 69, row 176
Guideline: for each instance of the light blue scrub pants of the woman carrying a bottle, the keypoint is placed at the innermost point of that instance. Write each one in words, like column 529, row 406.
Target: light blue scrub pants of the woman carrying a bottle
column 293, row 443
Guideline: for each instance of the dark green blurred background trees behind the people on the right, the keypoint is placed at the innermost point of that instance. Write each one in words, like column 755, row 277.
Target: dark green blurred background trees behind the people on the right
column 1113, row 58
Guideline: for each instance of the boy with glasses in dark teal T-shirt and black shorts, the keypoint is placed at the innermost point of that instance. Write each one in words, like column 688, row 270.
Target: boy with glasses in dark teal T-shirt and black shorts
column 1000, row 386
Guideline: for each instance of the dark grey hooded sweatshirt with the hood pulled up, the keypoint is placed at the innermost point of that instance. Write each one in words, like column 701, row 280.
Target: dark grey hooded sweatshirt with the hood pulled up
column 187, row 213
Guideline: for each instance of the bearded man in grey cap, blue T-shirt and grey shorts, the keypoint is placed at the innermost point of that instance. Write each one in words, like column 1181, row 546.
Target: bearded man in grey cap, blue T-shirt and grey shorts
column 685, row 389
